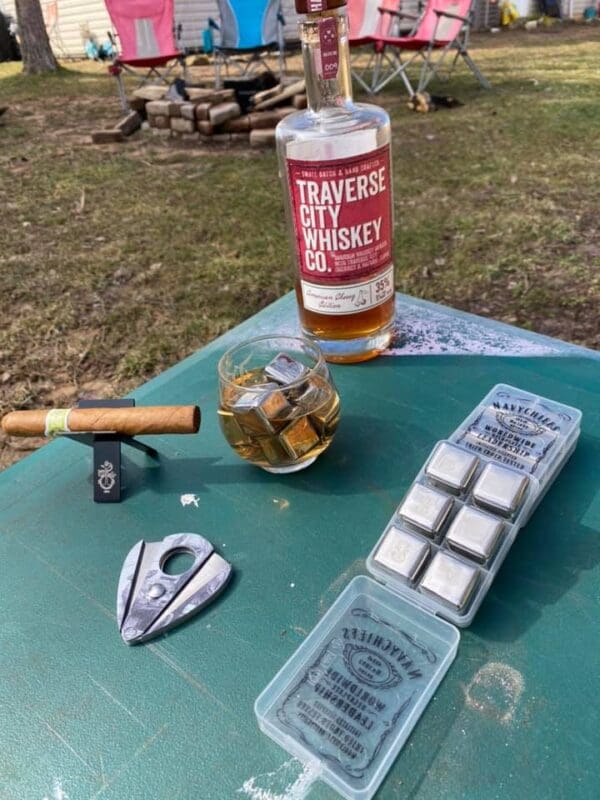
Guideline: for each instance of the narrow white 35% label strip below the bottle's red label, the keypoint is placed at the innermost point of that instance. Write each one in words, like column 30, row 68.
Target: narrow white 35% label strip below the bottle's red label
column 349, row 298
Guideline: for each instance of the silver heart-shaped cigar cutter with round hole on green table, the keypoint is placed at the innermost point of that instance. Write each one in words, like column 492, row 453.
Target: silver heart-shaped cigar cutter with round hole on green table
column 150, row 602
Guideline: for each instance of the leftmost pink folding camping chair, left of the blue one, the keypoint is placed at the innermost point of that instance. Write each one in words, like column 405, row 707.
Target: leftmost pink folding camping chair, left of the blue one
column 145, row 31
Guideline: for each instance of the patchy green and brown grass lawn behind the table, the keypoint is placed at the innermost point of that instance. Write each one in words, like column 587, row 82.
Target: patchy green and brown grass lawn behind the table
column 117, row 261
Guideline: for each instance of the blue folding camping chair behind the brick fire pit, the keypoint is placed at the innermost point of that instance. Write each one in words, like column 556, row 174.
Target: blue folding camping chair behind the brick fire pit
column 249, row 30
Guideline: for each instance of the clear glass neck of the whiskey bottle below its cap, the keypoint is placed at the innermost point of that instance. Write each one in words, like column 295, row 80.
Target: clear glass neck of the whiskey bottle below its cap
column 318, row 53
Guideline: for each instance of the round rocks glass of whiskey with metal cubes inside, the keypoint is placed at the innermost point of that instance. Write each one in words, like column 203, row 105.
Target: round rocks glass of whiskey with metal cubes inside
column 278, row 406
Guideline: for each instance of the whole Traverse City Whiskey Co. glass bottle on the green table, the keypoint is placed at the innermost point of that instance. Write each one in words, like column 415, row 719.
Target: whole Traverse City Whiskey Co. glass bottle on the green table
column 334, row 161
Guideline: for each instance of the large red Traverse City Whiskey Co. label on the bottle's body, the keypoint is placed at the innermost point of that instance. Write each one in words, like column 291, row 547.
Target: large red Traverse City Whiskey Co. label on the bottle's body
column 342, row 216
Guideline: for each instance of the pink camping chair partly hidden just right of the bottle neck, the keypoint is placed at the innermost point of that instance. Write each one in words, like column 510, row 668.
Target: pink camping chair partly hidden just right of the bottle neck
column 368, row 25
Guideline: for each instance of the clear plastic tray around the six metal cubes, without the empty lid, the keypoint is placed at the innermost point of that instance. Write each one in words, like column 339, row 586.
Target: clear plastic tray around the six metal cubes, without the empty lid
column 512, row 432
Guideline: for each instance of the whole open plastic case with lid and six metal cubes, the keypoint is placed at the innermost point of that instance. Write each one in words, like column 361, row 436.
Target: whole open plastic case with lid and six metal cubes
column 353, row 691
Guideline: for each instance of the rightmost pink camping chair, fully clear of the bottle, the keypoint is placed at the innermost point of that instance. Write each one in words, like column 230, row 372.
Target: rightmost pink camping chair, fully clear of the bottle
column 443, row 27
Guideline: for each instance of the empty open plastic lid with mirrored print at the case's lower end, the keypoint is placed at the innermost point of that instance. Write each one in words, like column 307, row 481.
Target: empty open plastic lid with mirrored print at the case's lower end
column 353, row 691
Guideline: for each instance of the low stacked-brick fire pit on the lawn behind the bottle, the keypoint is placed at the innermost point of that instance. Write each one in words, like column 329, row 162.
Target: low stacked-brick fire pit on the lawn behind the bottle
column 211, row 116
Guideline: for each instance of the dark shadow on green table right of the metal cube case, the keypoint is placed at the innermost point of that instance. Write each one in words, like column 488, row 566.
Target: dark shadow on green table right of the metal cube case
column 561, row 540
